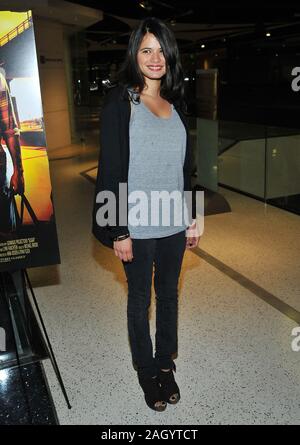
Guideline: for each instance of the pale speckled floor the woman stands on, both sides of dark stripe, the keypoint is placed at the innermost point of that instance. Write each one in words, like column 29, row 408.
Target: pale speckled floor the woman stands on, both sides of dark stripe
column 235, row 363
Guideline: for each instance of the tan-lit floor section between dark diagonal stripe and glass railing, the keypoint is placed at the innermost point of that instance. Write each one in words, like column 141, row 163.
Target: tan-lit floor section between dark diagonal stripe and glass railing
column 259, row 241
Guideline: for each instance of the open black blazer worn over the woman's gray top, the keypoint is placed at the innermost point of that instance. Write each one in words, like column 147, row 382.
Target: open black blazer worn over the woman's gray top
column 114, row 158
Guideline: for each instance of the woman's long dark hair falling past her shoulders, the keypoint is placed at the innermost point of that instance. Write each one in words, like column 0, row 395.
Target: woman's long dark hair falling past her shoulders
column 130, row 75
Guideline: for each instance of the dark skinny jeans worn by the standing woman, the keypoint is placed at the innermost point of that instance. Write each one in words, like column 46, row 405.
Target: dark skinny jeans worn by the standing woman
column 166, row 254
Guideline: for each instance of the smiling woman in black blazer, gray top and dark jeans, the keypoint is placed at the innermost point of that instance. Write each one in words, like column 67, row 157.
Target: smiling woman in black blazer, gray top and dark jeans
column 144, row 143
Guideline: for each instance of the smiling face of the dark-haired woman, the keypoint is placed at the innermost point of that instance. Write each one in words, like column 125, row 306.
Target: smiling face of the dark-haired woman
column 150, row 57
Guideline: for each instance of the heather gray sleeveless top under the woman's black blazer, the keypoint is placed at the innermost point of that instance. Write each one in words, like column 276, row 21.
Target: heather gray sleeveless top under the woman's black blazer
column 157, row 152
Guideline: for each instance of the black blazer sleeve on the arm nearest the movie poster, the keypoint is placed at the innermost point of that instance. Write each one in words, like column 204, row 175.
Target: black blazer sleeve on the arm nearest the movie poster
column 110, row 168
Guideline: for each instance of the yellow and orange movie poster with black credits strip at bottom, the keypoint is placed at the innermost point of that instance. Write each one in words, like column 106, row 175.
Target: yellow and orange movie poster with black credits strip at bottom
column 28, row 234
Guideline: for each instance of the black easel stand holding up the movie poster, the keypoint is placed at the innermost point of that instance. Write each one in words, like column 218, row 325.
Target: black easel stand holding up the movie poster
column 30, row 343
